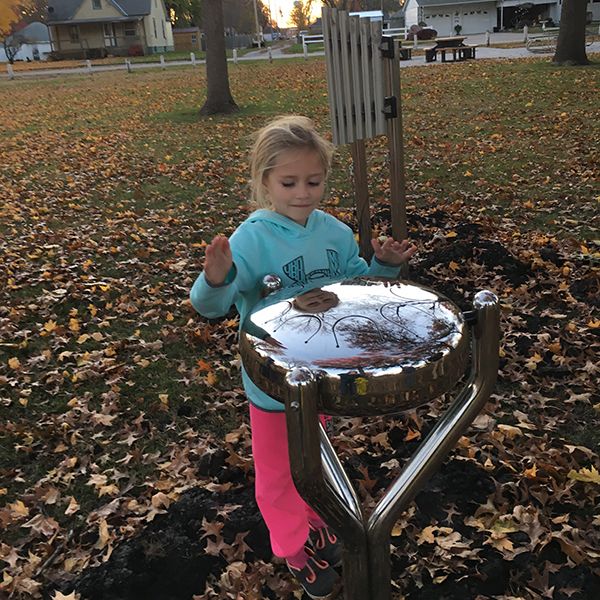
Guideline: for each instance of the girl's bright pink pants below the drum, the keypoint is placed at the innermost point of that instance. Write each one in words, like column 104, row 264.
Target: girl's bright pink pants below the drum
column 286, row 514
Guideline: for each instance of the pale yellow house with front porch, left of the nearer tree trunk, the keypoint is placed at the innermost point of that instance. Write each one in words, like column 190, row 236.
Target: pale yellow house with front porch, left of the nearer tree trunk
column 97, row 28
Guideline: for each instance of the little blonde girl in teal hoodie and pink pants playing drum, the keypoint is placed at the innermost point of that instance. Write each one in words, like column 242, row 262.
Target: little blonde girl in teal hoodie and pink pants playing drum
column 289, row 237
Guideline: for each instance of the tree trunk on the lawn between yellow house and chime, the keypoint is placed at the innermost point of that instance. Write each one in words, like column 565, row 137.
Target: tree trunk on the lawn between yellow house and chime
column 218, row 96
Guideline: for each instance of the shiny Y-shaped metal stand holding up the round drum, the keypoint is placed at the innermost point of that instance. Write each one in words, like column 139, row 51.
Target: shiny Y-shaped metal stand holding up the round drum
column 323, row 483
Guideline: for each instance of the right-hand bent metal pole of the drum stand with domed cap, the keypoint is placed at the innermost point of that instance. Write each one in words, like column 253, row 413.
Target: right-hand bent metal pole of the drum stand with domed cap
column 440, row 441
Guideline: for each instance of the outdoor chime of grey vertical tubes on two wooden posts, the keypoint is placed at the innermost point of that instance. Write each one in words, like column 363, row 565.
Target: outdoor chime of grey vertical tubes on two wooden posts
column 363, row 81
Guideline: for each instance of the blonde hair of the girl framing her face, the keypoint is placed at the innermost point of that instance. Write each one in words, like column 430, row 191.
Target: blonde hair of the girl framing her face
column 289, row 132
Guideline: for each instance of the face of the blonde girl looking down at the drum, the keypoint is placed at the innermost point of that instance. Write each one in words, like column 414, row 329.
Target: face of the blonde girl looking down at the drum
column 296, row 184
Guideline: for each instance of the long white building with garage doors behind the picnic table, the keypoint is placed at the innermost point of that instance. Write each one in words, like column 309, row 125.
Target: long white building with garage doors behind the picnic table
column 478, row 16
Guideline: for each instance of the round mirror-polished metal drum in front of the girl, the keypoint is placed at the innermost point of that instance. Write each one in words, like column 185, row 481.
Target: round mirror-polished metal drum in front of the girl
column 375, row 346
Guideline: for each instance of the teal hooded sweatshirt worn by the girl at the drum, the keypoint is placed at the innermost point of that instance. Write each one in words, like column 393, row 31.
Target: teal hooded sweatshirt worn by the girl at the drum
column 322, row 252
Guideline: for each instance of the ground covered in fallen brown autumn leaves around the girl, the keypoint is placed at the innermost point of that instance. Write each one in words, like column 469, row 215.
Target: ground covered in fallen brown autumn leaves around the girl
column 125, row 469
